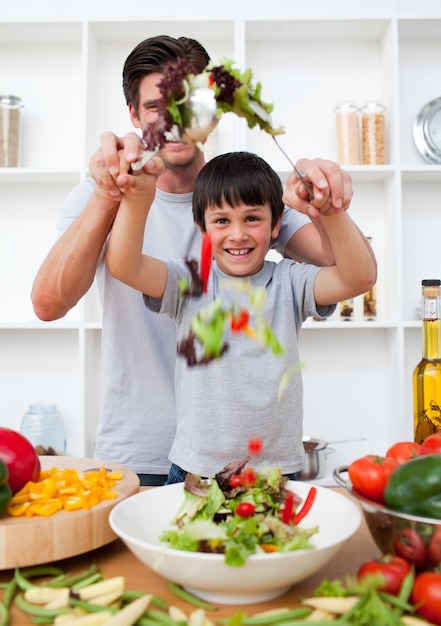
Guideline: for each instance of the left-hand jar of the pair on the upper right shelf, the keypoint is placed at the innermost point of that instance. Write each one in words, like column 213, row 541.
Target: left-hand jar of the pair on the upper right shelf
column 347, row 130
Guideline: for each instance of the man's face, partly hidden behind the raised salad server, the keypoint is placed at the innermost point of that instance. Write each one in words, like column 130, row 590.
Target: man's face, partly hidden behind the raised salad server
column 176, row 155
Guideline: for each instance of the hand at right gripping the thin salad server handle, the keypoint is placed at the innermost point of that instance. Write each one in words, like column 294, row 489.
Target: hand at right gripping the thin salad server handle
column 332, row 188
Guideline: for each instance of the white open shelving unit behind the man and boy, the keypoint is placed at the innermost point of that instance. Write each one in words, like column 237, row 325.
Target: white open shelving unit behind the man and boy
column 65, row 62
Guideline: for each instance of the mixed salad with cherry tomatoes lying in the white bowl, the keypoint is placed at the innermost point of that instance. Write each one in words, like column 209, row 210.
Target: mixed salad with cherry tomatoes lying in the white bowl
column 238, row 513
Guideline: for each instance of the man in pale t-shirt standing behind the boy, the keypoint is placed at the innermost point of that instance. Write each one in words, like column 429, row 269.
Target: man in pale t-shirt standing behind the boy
column 139, row 349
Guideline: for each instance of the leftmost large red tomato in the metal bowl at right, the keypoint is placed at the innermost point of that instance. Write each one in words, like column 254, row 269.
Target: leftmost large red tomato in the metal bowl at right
column 369, row 475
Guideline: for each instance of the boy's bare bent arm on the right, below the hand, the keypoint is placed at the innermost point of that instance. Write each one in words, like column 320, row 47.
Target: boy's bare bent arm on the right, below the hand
column 355, row 269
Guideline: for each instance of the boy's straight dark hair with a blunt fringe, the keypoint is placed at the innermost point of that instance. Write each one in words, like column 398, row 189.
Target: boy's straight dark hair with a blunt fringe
column 233, row 178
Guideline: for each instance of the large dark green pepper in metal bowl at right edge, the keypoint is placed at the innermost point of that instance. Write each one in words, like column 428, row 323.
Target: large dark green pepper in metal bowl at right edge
column 415, row 487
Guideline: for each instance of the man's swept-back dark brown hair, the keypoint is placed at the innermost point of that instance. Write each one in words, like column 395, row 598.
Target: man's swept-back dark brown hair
column 151, row 55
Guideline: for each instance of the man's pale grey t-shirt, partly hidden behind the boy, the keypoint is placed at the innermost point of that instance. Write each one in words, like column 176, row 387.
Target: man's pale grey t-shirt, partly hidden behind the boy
column 138, row 420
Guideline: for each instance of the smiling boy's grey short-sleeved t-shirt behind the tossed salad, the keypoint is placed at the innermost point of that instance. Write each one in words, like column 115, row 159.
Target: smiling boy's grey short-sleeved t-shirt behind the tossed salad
column 222, row 404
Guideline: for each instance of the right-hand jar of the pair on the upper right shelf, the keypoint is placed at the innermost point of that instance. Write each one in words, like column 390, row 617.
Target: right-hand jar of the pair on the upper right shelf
column 373, row 133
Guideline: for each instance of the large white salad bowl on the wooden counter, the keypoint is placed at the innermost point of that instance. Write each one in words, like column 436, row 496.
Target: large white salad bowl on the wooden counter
column 140, row 520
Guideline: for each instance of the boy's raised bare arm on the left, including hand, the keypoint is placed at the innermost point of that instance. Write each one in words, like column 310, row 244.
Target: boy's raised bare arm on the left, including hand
column 124, row 256
